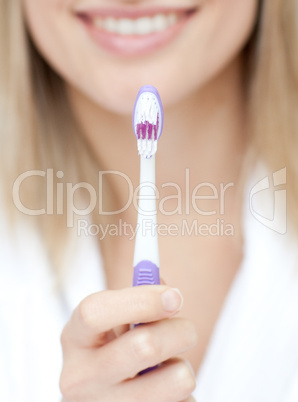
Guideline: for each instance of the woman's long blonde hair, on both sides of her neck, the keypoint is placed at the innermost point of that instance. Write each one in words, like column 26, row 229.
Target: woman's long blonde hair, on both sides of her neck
column 38, row 130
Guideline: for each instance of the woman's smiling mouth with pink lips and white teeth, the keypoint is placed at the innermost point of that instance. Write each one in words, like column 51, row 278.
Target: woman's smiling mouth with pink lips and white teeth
column 134, row 31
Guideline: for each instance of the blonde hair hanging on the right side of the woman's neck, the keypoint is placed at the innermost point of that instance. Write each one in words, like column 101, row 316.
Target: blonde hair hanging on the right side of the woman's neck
column 273, row 92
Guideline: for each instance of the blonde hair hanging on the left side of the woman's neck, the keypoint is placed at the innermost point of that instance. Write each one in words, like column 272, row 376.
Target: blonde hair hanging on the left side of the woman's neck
column 37, row 129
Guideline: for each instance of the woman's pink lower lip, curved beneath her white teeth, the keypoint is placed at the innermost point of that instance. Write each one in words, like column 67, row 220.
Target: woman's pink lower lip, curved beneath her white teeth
column 135, row 45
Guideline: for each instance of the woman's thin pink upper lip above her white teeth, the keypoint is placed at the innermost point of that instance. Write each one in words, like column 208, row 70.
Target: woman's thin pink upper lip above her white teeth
column 129, row 12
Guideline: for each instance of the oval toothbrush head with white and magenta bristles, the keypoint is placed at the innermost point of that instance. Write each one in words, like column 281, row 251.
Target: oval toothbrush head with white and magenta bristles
column 148, row 120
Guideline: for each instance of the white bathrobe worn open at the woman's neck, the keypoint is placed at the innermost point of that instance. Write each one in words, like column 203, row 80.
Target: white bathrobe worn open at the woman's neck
column 253, row 352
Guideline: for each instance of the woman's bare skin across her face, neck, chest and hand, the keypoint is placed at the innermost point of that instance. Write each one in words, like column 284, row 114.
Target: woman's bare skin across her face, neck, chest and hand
column 199, row 77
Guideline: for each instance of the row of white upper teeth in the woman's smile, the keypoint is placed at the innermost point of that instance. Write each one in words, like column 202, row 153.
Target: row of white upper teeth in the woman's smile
column 139, row 26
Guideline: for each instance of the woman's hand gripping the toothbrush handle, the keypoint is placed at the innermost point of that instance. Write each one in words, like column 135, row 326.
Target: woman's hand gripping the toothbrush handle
column 102, row 357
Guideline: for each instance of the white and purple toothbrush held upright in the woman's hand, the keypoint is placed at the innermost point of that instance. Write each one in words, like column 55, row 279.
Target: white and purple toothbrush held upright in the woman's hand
column 147, row 125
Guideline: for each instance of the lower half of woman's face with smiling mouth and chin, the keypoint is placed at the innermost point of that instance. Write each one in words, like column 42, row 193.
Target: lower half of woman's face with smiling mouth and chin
column 108, row 49
